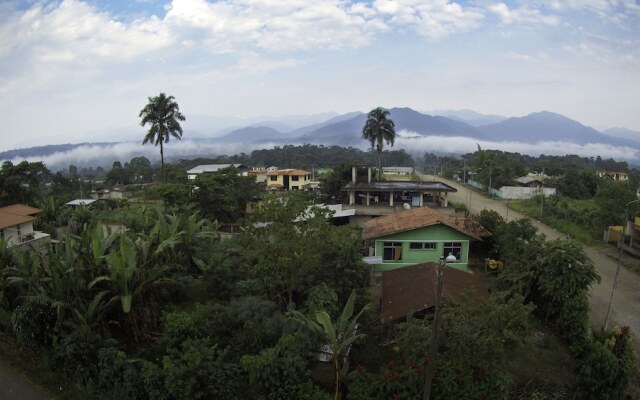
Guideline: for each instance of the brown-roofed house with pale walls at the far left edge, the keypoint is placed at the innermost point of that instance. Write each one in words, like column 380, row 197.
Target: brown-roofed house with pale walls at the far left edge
column 16, row 226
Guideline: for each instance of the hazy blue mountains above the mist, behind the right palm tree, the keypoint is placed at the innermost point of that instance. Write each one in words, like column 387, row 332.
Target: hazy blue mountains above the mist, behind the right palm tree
column 345, row 130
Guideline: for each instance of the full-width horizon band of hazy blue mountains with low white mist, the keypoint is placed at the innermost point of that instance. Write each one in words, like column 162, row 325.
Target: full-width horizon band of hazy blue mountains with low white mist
column 345, row 130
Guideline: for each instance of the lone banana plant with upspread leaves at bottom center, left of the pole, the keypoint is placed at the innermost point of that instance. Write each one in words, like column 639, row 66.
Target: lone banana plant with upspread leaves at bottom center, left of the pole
column 338, row 335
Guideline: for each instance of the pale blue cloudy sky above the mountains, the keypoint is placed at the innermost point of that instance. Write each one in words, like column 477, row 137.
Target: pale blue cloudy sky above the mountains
column 80, row 70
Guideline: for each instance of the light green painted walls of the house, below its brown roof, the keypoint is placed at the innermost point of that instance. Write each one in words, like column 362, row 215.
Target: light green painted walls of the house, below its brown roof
column 439, row 234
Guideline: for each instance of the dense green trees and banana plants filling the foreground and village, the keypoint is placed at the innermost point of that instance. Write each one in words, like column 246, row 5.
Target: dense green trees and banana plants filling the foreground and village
column 167, row 309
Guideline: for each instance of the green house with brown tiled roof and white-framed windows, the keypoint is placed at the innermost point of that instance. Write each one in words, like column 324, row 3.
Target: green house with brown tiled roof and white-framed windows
column 421, row 235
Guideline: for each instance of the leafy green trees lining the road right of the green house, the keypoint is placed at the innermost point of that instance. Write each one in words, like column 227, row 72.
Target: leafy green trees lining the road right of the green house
column 555, row 277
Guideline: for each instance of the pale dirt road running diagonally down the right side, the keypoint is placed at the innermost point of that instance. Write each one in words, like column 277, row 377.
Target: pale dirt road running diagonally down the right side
column 626, row 302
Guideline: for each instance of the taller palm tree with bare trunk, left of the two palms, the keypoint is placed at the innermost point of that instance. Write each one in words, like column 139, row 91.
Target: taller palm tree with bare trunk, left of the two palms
column 163, row 114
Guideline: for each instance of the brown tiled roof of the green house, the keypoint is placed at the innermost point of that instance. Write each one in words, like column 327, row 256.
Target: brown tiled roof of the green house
column 416, row 218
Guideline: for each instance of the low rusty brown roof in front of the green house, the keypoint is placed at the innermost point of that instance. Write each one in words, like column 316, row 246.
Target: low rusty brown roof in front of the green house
column 413, row 288
